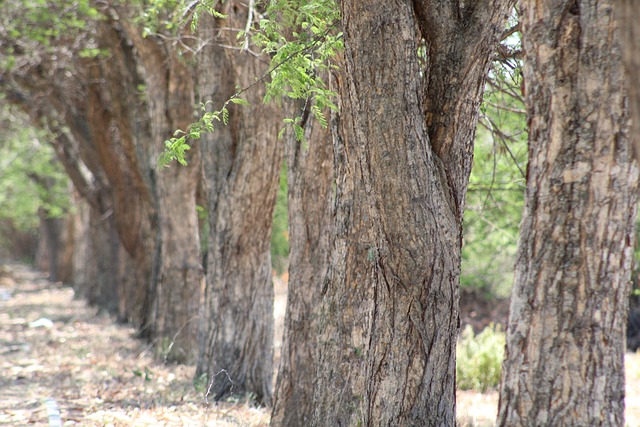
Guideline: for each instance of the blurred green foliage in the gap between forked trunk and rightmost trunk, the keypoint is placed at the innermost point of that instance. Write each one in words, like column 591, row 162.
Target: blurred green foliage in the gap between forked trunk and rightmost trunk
column 495, row 197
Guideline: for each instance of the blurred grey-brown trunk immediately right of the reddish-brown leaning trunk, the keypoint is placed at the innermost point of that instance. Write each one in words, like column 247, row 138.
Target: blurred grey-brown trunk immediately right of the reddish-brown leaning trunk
column 177, row 293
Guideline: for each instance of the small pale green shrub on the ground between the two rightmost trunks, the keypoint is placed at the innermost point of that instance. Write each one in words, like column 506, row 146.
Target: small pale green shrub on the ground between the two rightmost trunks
column 479, row 358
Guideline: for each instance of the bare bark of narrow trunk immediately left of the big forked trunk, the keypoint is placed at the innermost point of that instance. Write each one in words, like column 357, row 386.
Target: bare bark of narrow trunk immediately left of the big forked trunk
column 311, row 219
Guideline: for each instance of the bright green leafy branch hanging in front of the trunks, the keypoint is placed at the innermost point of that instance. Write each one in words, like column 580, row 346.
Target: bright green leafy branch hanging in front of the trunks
column 302, row 44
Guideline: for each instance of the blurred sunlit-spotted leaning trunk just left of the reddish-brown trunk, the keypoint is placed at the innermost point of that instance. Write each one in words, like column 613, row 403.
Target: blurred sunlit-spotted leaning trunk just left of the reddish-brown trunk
column 99, row 257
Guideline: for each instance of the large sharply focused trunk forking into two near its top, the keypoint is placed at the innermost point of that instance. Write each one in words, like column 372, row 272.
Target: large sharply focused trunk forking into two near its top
column 390, row 311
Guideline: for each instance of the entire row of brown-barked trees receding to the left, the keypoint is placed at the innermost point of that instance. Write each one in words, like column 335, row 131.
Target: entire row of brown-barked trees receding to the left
column 376, row 198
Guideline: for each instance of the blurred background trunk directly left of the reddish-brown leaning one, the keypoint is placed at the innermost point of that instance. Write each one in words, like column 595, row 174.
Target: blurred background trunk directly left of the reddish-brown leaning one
column 98, row 259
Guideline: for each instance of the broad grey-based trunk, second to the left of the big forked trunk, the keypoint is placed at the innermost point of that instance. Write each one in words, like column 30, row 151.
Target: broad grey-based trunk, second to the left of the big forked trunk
column 241, row 166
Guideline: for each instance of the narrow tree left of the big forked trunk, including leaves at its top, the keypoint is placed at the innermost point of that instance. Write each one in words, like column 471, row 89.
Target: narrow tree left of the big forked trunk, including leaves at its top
column 303, row 43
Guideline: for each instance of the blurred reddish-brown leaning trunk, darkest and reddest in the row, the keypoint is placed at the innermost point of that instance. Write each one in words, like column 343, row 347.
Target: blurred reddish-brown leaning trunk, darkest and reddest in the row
column 131, row 207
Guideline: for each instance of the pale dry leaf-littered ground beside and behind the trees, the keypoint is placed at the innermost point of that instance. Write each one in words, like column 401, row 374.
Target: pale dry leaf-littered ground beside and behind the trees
column 60, row 359
